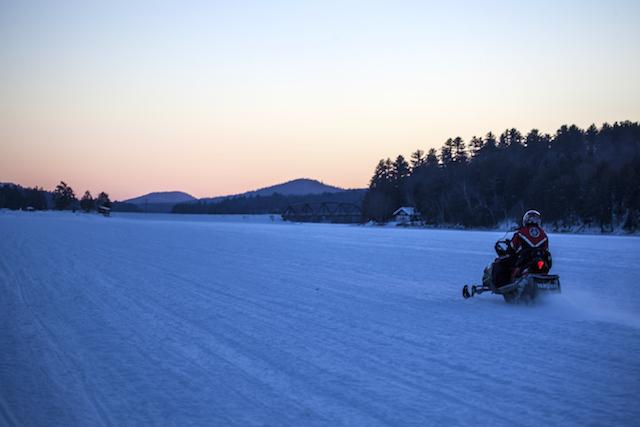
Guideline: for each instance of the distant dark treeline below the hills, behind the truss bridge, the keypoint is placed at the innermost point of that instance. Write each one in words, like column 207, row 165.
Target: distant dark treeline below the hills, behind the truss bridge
column 274, row 204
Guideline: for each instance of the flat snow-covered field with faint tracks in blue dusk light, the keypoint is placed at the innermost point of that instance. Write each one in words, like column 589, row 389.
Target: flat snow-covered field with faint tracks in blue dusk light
column 179, row 320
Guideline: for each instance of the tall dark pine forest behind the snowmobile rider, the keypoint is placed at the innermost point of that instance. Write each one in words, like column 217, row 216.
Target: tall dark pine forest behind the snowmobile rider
column 575, row 177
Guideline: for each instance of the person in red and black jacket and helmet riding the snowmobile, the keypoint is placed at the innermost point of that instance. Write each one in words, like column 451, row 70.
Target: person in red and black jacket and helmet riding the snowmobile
column 529, row 238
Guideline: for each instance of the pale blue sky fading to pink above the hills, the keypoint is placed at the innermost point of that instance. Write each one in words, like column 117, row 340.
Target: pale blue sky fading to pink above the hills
column 217, row 98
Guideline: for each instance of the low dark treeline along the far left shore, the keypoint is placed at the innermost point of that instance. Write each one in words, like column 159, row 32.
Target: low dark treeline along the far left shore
column 63, row 197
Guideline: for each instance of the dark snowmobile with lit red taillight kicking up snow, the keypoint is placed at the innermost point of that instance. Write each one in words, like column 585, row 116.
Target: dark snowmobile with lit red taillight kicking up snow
column 518, row 278
